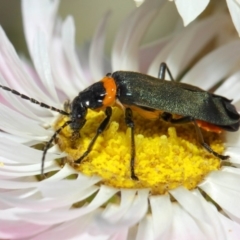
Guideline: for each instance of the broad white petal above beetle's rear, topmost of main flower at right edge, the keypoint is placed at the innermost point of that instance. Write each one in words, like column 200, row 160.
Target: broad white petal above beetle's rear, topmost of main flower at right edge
column 223, row 59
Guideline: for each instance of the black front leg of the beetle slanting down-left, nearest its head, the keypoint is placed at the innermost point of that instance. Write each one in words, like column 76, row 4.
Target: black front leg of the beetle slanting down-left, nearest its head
column 100, row 129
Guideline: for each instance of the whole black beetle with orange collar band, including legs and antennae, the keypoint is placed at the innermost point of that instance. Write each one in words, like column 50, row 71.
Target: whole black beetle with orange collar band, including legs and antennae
column 152, row 98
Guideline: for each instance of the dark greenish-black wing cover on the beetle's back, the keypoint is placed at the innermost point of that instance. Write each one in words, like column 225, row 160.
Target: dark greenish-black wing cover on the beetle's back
column 186, row 100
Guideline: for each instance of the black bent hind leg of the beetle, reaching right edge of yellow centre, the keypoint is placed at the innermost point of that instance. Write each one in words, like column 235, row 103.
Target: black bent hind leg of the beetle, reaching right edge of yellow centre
column 168, row 118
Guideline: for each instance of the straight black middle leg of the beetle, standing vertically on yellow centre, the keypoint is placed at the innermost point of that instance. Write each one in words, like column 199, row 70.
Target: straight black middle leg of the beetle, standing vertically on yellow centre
column 129, row 122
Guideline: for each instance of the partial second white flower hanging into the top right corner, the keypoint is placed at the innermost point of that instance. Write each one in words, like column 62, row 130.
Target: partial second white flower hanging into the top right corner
column 189, row 10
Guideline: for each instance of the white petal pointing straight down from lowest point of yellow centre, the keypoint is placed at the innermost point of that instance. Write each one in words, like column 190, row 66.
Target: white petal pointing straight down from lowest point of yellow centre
column 162, row 215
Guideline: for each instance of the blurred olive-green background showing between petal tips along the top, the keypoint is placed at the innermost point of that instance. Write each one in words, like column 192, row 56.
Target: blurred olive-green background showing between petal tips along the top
column 87, row 14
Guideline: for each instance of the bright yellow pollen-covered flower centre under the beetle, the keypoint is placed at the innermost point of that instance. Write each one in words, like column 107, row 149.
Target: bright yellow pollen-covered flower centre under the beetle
column 167, row 156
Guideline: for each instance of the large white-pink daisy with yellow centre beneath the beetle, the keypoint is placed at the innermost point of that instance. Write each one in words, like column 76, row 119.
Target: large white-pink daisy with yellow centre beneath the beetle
column 183, row 192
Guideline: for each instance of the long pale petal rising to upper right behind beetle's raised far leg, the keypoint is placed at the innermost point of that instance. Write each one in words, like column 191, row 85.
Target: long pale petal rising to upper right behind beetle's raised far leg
column 184, row 47
